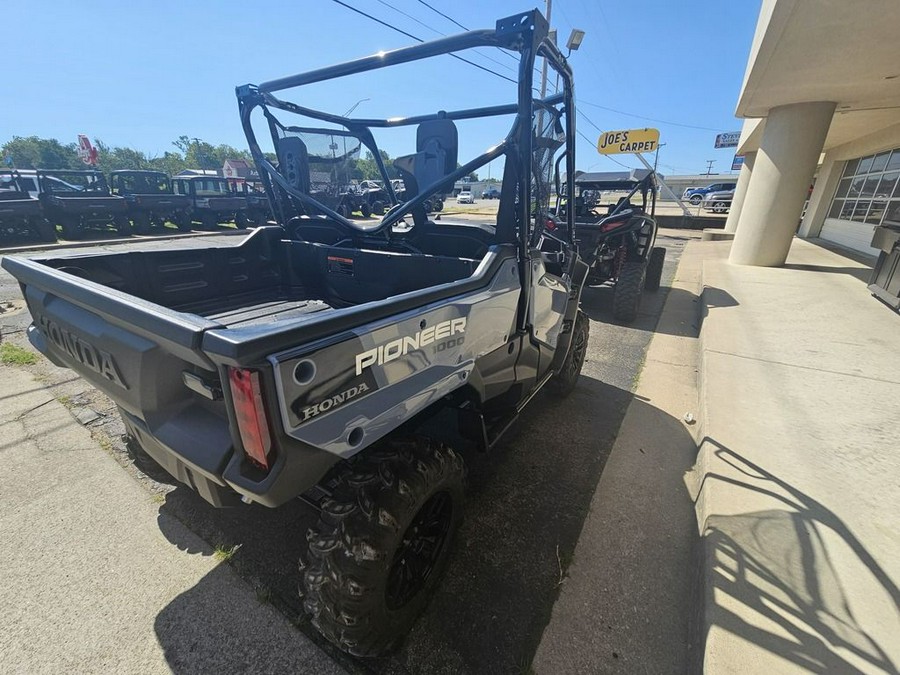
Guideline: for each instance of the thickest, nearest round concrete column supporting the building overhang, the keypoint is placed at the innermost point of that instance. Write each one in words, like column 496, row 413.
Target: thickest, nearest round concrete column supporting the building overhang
column 785, row 163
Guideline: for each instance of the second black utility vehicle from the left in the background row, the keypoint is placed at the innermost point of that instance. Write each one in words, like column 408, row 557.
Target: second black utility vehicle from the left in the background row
column 79, row 201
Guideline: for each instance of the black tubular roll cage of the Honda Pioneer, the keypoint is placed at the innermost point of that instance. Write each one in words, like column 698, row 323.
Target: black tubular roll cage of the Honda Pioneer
column 526, row 33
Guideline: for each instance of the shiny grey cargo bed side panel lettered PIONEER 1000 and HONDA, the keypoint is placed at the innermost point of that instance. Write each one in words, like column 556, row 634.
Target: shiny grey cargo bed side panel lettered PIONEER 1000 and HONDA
column 341, row 396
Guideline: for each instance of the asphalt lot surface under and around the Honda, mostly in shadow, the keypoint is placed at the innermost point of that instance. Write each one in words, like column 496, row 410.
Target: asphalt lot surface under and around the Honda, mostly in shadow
column 527, row 501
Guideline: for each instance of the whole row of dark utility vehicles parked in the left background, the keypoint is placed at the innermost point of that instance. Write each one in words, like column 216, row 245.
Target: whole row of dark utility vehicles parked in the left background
column 36, row 202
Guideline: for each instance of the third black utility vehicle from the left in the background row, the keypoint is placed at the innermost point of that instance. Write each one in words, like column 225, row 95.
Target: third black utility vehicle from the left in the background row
column 150, row 200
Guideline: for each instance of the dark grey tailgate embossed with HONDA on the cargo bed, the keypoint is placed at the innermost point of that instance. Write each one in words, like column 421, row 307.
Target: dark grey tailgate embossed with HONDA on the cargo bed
column 131, row 349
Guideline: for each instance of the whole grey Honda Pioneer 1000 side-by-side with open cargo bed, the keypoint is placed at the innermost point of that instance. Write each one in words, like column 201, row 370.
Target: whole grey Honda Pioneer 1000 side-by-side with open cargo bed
column 304, row 361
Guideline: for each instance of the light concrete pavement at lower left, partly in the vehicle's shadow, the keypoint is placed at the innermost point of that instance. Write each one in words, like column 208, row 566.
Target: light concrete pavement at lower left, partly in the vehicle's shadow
column 95, row 579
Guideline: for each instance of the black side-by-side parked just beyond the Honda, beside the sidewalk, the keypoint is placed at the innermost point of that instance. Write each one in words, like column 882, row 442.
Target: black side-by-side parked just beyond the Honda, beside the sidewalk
column 617, row 240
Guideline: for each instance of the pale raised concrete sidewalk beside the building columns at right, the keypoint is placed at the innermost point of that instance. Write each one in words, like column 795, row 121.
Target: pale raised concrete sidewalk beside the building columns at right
column 797, row 481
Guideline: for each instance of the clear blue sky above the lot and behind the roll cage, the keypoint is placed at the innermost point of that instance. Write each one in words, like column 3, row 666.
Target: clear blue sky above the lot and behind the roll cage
column 142, row 73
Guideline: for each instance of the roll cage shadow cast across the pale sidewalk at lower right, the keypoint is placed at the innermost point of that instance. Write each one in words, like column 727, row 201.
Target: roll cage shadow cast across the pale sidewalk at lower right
column 774, row 565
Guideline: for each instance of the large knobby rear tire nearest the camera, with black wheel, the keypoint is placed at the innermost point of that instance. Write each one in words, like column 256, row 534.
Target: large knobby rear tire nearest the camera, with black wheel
column 381, row 543
